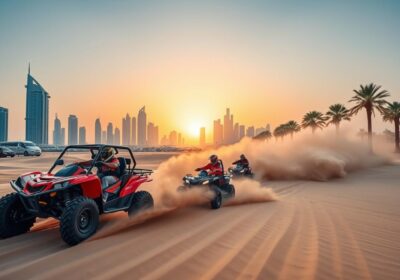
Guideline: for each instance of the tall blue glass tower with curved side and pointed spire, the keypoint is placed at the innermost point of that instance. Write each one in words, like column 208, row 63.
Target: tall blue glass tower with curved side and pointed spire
column 37, row 112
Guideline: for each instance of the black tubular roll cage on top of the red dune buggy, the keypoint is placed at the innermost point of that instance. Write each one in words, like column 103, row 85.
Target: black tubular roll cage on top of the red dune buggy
column 96, row 156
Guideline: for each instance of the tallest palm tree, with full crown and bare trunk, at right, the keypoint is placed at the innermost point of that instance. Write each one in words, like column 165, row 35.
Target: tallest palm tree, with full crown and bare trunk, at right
column 370, row 97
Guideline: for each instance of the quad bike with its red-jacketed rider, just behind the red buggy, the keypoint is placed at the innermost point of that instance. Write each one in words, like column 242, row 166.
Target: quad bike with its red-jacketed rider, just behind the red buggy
column 213, row 177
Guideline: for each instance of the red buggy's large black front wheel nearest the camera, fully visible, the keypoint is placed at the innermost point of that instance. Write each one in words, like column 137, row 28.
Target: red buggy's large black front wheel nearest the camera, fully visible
column 79, row 220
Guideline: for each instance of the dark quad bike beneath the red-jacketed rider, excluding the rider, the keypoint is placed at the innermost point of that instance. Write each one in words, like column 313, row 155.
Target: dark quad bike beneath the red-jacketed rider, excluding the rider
column 219, row 185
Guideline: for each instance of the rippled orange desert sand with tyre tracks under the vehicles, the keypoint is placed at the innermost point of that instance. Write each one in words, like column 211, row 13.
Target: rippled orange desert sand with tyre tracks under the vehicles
column 344, row 228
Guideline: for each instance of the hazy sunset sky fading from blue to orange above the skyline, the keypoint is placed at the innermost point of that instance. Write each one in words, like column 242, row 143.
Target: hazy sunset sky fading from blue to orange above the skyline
column 186, row 61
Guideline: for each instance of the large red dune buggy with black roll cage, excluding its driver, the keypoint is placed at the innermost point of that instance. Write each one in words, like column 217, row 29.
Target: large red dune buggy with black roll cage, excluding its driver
column 74, row 195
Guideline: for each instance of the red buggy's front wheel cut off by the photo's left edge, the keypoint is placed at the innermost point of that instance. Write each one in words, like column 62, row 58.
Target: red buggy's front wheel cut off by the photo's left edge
column 14, row 219
